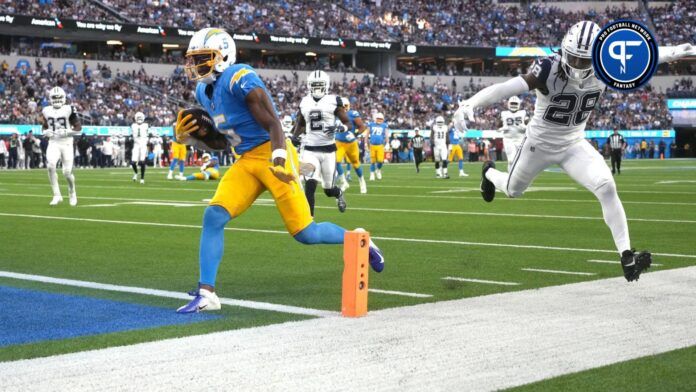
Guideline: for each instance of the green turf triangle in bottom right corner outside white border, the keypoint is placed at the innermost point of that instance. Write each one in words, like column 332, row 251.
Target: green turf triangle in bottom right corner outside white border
column 671, row 371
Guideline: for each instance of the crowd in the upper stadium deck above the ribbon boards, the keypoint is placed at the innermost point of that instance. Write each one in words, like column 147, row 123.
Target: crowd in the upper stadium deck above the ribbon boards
column 443, row 22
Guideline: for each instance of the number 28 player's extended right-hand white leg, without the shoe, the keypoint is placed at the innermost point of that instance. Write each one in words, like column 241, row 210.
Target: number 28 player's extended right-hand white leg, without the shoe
column 587, row 167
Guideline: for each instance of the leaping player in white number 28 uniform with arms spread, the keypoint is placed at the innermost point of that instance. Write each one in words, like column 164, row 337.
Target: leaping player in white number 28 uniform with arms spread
column 567, row 92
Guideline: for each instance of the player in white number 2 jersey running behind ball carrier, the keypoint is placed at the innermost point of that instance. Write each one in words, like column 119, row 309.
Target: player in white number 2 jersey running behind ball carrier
column 317, row 120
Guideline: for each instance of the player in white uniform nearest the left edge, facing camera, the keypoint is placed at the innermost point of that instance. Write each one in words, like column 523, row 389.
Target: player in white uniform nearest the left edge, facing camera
column 60, row 123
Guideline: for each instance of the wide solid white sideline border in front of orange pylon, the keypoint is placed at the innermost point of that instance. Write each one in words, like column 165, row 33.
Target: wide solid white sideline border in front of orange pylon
column 477, row 344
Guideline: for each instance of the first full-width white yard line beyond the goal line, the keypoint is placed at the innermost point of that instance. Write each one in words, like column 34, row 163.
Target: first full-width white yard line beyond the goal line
column 421, row 240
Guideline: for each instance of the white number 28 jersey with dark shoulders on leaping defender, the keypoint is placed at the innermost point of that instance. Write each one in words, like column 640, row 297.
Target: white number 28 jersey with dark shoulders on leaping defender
column 563, row 105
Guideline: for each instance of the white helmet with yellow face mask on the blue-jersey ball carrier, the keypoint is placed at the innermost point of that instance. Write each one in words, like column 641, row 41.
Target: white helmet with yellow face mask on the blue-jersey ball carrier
column 210, row 52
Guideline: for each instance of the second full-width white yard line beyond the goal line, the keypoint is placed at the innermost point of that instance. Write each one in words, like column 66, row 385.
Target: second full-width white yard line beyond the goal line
column 271, row 203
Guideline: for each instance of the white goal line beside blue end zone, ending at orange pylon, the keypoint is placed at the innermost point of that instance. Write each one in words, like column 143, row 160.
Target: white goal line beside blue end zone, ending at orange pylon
column 168, row 294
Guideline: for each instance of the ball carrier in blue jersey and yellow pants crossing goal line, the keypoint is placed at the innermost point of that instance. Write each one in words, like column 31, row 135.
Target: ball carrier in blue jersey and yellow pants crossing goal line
column 244, row 116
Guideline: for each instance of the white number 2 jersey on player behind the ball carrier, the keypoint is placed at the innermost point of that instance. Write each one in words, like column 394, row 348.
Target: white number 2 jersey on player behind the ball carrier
column 320, row 119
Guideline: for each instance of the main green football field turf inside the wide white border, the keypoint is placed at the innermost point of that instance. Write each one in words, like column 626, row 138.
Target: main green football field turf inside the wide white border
column 428, row 229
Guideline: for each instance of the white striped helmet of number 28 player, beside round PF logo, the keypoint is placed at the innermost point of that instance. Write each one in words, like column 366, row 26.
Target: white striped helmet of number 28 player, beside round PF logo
column 576, row 50
